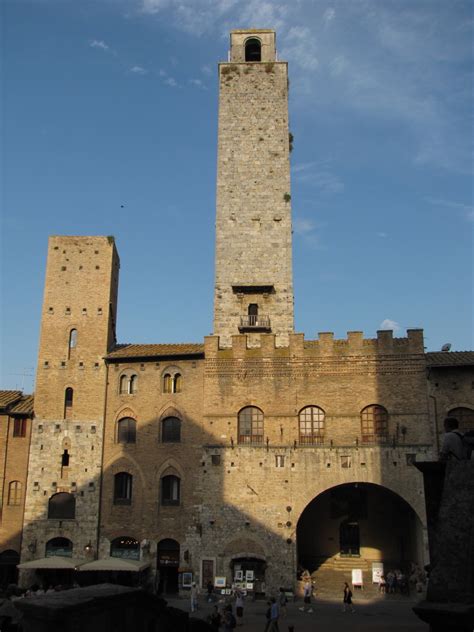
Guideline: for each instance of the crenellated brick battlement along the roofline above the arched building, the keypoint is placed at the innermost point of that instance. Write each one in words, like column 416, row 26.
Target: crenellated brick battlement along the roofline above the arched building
column 263, row 345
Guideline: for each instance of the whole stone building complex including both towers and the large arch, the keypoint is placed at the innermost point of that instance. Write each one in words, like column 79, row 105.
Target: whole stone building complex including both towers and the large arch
column 257, row 451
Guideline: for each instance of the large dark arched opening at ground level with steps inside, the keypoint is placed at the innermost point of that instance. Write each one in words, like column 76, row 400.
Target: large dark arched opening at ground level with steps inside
column 358, row 526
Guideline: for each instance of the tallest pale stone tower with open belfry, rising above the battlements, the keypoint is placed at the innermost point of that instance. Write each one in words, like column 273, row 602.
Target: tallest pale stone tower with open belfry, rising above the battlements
column 253, row 285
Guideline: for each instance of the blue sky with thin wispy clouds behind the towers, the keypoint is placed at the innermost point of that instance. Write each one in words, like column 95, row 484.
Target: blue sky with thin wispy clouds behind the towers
column 113, row 103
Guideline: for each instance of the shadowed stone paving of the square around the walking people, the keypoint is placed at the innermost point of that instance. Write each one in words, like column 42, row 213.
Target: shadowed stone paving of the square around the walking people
column 384, row 615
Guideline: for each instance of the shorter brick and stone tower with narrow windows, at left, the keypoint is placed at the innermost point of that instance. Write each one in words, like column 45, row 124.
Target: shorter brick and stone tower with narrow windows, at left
column 77, row 330
